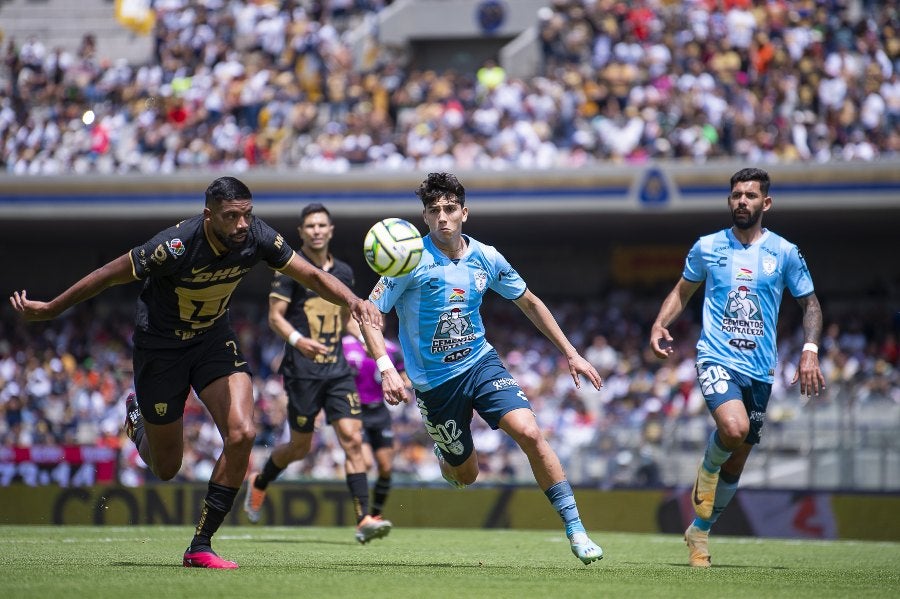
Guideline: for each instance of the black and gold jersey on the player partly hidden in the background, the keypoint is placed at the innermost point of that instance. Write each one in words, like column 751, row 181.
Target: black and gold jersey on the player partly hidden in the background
column 316, row 318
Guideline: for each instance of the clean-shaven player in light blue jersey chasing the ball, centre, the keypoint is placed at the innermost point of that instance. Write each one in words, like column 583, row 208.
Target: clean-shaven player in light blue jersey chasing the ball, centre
column 453, row 369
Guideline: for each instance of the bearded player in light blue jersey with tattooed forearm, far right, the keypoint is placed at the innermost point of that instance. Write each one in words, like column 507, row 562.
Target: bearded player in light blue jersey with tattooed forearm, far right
column 745, row 269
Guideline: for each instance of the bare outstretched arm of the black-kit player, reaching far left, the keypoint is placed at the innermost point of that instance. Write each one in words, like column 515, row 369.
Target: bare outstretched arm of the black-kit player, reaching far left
column 117, row 272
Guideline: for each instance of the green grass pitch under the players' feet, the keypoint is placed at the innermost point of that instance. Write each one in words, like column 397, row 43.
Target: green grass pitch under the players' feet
column 131, row 562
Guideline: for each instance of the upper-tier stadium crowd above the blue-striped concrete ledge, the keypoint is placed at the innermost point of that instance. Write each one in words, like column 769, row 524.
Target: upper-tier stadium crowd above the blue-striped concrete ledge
column 241, row 84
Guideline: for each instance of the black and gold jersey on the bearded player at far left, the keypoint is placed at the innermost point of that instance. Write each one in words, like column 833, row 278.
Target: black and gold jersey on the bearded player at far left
column 188, row 283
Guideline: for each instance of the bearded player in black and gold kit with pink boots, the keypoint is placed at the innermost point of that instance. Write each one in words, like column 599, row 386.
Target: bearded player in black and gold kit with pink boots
column 183, row 339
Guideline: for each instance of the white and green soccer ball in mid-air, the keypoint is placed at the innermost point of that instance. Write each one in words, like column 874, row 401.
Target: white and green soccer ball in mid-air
column 393, row 247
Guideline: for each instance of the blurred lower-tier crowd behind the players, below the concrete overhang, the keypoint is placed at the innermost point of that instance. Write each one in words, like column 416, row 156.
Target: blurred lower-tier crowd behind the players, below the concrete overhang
column 64, row 382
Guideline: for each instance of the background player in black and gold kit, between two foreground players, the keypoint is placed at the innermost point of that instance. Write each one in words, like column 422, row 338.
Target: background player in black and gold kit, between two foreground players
column 316, row 375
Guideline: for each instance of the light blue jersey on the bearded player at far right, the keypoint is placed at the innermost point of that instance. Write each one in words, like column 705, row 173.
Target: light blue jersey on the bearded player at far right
column 744, row 287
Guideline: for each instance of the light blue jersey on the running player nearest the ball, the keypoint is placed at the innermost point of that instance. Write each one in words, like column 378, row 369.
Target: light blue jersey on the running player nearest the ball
column 441, row 332
